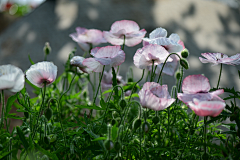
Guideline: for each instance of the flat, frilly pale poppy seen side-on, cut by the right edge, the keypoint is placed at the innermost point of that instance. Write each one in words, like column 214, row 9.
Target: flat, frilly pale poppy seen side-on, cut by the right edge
column 217, row 58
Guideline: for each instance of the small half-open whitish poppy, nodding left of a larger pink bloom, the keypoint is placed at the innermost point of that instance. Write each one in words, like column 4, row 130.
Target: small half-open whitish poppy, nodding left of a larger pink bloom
column 77, row 61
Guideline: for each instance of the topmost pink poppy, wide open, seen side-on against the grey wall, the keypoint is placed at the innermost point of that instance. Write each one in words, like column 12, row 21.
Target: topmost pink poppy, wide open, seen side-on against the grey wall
column 131, row 30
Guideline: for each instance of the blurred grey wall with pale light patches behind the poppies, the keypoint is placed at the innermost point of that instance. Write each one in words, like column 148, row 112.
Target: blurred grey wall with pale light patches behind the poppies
column 203, row 26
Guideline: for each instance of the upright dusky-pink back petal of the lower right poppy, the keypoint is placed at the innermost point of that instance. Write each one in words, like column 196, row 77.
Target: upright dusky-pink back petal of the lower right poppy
column 195, row 84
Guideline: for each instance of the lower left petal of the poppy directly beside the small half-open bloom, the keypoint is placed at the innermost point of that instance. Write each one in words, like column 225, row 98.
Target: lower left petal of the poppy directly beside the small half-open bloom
column 92, row 64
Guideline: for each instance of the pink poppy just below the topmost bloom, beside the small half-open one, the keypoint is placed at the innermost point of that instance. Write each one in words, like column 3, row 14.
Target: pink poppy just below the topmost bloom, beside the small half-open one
column 109, row 55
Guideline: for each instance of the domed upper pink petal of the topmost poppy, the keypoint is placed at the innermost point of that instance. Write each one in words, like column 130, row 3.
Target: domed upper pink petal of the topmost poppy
column 127, row 25
